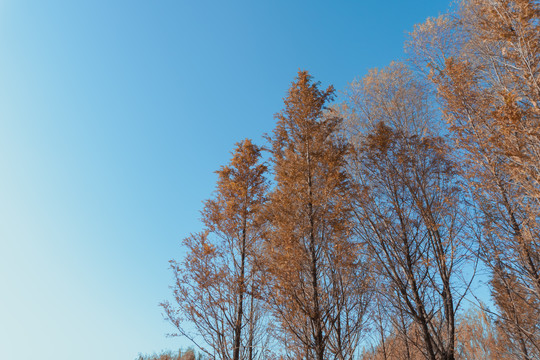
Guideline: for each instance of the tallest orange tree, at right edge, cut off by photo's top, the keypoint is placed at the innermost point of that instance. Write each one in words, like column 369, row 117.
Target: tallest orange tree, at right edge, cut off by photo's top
column 489, row 87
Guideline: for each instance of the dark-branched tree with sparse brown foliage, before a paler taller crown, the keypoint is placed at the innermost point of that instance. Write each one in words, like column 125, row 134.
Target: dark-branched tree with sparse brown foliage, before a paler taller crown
column 408, row 213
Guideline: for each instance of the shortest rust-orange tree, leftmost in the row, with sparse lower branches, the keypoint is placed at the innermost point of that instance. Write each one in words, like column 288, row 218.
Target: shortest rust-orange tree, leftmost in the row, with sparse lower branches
column 216, row 287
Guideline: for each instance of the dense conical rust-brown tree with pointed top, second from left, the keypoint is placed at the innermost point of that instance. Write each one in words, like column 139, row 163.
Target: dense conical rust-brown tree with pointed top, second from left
column 317, row 287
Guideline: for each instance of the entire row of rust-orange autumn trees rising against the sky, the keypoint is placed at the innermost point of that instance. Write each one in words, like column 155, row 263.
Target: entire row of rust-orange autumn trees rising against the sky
column 381, row 210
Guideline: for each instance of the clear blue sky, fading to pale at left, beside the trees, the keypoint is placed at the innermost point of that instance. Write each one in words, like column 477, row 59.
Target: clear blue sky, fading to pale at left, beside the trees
column 113, row 117
